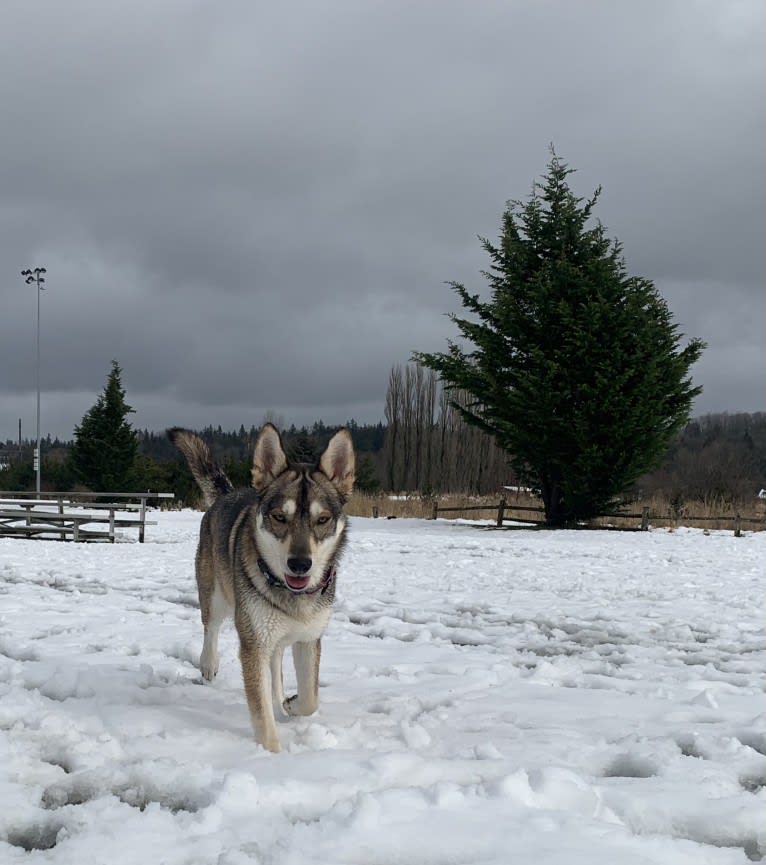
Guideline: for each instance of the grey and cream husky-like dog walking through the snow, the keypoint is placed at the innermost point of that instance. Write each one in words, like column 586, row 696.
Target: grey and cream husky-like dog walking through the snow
column 268, row 556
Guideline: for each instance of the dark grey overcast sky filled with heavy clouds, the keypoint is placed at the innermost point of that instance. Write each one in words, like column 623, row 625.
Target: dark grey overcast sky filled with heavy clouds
column 255, row 207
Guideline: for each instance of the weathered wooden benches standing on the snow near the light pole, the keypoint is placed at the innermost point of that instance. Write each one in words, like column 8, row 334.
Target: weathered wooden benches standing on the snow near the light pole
column 74, row 516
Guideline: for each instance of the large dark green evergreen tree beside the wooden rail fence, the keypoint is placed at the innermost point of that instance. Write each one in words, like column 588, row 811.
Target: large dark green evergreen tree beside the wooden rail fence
column 576, row 367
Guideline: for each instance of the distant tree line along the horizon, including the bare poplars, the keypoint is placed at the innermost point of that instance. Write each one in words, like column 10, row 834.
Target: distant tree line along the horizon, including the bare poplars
column 424, row 448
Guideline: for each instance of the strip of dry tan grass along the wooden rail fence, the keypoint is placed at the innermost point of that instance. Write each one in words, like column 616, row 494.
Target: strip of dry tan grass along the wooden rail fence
column 713, row 514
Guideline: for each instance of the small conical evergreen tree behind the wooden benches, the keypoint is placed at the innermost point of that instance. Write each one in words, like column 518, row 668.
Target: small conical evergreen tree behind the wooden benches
column 103, row 454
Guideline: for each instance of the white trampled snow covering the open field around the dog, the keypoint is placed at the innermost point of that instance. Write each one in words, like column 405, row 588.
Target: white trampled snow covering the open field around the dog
column 486, row 696
